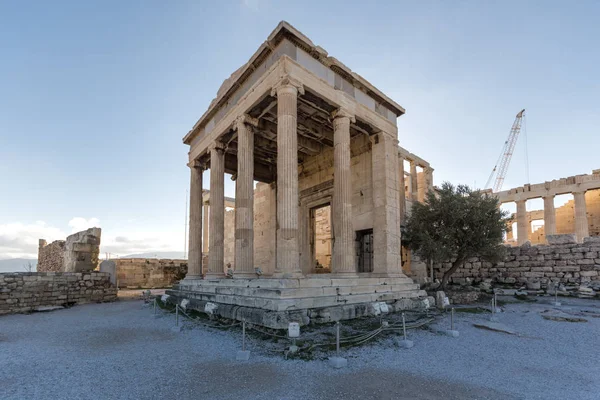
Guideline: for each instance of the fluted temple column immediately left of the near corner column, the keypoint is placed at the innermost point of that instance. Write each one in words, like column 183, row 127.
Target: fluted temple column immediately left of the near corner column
column 244, row 201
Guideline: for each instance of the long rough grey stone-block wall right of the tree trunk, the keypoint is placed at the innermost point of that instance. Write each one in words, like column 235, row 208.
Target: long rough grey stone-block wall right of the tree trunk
column 570, row 264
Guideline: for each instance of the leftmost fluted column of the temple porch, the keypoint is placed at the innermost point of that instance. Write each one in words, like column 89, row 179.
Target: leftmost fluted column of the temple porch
column 195, row 229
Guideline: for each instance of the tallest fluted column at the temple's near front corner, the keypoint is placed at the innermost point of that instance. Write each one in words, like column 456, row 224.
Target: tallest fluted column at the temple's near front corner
column 288, row 256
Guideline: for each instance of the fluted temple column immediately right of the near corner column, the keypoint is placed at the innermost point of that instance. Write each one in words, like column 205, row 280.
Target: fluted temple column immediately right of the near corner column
column 343, row 232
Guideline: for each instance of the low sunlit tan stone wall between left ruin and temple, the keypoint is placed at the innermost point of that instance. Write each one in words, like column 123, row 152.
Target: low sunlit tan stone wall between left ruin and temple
column 146, row 273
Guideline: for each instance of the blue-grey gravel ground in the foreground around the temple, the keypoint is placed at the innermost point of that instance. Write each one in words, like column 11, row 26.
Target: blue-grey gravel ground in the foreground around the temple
column 118, row 351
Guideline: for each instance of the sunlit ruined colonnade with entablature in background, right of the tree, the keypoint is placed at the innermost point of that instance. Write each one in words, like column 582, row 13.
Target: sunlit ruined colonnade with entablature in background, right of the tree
column 577, row 185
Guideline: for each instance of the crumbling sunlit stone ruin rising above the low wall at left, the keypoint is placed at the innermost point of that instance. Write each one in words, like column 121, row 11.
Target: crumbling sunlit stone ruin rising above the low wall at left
column 78, row 253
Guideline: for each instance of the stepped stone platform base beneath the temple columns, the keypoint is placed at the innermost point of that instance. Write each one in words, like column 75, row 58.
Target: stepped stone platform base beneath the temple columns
column 274, row 303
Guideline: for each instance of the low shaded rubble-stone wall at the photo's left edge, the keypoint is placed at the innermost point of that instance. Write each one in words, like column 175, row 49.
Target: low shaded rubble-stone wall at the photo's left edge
column 28, row 291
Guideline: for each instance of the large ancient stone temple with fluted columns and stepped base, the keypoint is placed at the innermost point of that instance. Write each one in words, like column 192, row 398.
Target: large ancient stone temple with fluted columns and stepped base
column 313, row 134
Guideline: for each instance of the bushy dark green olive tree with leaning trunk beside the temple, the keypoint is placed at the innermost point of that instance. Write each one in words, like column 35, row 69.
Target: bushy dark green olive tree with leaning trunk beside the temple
column 456, row 223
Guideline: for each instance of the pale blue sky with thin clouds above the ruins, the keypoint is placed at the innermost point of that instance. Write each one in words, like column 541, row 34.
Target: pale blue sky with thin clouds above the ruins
column 96, row 96
